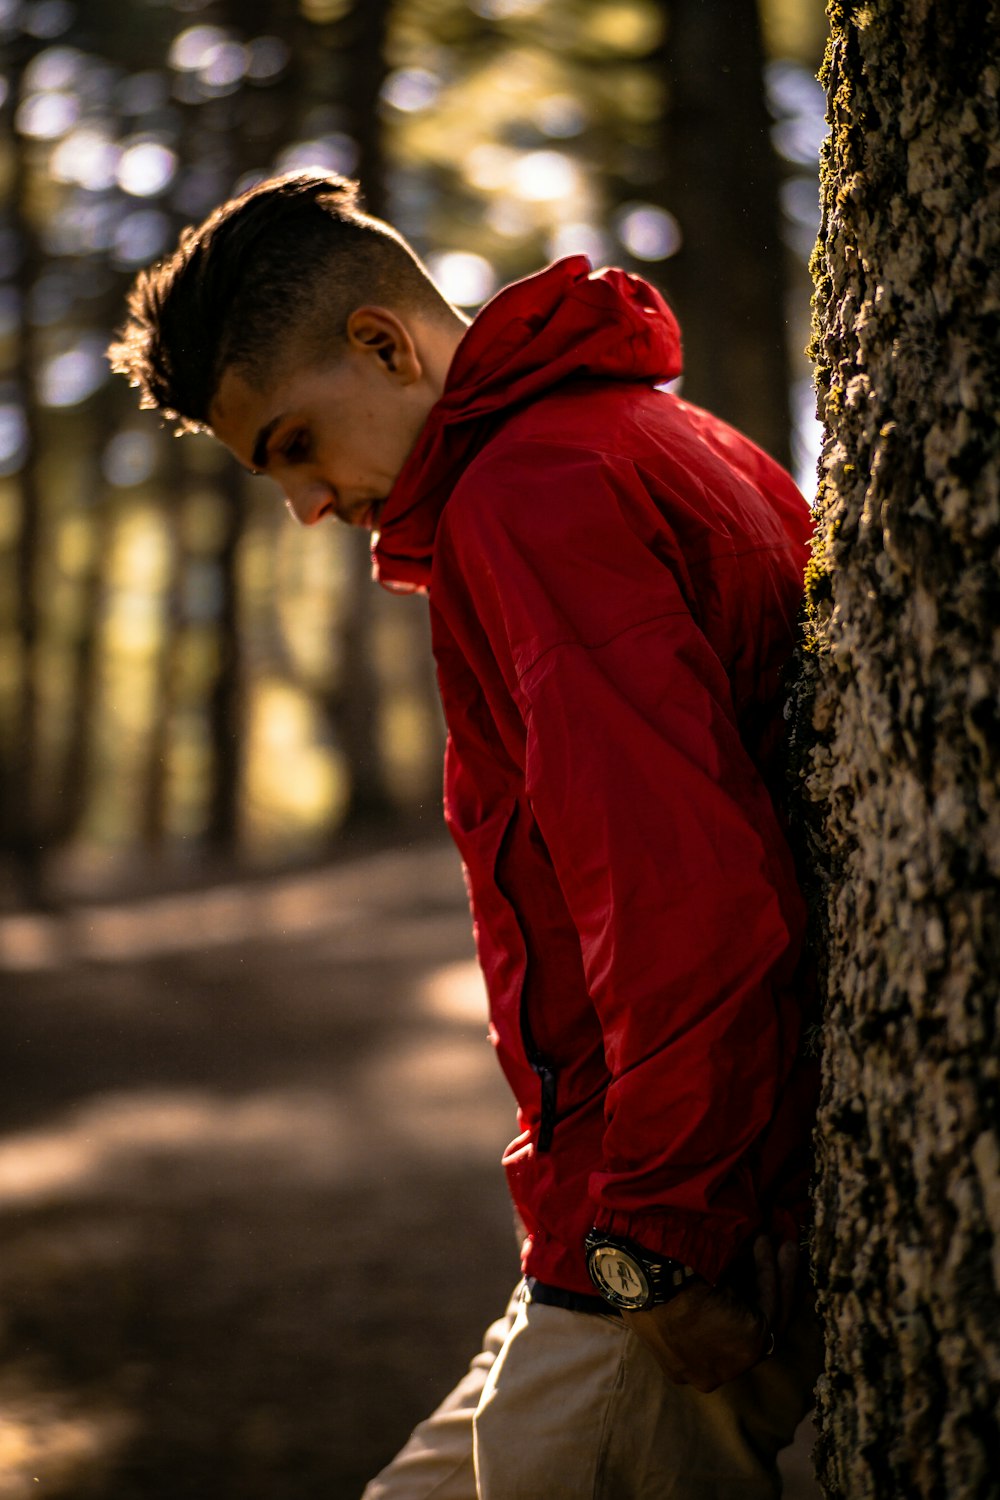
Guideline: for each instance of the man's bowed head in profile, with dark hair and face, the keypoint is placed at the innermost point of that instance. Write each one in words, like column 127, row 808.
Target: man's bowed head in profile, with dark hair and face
column 304, row 334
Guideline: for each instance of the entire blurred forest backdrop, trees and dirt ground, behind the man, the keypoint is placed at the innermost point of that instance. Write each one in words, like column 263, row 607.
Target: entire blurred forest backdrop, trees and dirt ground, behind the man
column 250, row 1114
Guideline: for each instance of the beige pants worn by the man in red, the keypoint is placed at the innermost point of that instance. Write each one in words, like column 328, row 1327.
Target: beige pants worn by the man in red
column 572, row 1406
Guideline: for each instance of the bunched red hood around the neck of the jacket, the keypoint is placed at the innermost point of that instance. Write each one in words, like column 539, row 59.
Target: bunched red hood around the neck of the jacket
column 564, row 323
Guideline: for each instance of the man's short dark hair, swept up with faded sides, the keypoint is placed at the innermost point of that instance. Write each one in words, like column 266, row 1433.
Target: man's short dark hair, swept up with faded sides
column 286, row 262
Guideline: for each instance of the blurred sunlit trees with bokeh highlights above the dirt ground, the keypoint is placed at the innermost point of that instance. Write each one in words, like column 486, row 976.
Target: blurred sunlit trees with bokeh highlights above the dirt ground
column 187, row 682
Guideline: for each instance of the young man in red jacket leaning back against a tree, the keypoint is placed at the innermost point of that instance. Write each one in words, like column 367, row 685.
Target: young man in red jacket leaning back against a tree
column 614, row 580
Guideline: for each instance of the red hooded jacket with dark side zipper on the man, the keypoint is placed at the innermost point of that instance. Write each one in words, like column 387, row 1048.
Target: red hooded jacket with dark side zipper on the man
column 614, row 583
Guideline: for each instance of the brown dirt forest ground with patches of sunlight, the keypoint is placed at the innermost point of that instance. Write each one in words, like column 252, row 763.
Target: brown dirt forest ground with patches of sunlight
column 244, row 1133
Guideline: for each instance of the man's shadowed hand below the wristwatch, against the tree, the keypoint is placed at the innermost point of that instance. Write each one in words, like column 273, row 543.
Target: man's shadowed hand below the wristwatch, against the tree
column 708, row 1336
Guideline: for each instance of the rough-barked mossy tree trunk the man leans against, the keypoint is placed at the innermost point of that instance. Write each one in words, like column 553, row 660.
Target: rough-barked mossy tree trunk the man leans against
column 903, row 763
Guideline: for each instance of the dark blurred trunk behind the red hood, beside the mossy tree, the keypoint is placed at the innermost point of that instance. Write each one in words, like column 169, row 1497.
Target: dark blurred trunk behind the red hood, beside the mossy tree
column 728, row 281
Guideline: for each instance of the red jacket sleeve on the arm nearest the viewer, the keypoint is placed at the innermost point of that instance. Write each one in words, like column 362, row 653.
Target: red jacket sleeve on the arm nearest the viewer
column 665, row 844
